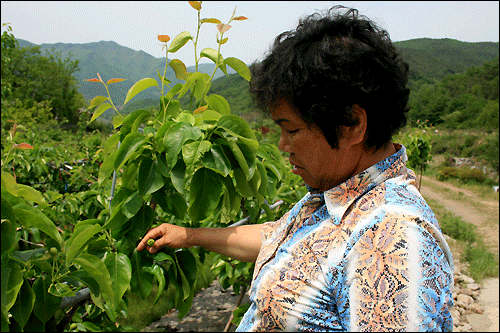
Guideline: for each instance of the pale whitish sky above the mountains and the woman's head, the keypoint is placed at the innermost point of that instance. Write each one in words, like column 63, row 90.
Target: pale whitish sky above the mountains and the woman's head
column 136, row 24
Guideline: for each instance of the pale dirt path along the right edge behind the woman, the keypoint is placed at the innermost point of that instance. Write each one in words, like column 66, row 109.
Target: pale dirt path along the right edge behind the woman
column 485, row 216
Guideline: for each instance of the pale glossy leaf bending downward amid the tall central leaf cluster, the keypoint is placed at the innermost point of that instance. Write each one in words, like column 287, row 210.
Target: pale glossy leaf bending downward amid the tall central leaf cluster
column 175, row 137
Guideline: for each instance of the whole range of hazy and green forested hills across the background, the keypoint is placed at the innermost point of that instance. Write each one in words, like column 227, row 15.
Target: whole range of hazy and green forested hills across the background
column 451, row 82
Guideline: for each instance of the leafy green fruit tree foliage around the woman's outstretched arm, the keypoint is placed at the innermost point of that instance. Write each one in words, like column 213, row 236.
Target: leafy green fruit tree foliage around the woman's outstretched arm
column 200, row 166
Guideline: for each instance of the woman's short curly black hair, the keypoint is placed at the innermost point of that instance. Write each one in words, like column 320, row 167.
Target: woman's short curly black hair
column 330, row 63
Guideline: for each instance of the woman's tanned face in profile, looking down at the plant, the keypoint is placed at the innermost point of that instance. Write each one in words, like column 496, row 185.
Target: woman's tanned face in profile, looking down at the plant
column 312, row 157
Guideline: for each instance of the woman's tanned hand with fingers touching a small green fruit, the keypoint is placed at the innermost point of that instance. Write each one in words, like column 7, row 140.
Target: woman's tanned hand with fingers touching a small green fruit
column 166, row 234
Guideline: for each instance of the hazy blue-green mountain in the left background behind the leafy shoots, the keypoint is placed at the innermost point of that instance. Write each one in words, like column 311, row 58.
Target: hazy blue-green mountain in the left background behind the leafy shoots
column 112, row 60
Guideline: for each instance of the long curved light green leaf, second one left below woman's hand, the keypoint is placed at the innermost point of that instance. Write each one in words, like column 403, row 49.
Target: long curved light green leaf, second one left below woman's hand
column 98, row 270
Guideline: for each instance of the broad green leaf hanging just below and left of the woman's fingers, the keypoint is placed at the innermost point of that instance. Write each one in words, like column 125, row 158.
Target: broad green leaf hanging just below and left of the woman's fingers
column 120, row 271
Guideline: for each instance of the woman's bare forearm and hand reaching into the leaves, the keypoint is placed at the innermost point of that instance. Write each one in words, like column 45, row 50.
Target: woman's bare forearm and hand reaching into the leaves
column 241, row 242
